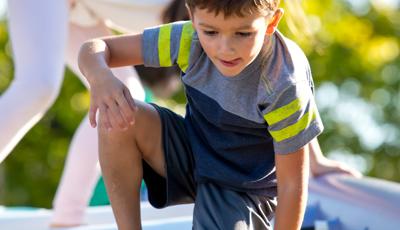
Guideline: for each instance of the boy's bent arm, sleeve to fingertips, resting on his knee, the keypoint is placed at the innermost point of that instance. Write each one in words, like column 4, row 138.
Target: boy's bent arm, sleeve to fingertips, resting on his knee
column 108, row 94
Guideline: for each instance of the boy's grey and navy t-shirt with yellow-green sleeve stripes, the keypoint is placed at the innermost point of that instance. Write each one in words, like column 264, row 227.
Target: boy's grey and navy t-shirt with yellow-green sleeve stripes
column 237, row 124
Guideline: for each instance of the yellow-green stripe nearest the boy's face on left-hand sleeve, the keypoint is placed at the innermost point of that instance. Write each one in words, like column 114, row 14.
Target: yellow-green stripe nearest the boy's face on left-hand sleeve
column 184, row 46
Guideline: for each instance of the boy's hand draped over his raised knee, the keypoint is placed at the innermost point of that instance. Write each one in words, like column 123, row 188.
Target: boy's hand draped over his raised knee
column 114, row 102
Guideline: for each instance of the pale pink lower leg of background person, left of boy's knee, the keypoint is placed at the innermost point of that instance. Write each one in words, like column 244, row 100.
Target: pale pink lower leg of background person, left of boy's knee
column 78, row 179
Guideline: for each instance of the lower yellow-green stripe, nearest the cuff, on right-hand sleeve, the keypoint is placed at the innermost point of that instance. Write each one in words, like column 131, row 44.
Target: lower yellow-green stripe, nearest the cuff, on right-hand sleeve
column 294, row 129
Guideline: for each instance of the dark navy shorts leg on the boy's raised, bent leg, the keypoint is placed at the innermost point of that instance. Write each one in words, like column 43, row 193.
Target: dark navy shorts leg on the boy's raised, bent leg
column 178, row 185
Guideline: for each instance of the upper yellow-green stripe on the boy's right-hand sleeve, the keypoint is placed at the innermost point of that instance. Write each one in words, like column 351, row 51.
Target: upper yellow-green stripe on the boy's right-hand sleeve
column 283, row 112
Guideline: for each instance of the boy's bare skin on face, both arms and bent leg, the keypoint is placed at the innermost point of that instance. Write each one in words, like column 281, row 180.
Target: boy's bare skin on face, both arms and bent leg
column 130, row 131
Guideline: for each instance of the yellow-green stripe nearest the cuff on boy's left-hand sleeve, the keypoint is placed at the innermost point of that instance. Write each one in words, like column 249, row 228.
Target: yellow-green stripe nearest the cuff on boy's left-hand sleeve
column 164, row 45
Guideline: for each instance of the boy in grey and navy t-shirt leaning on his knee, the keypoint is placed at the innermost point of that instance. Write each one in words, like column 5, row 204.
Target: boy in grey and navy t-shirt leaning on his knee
column 249, row 121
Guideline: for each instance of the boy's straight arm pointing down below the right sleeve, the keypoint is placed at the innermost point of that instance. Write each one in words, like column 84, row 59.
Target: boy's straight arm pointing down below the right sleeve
column 292, row 177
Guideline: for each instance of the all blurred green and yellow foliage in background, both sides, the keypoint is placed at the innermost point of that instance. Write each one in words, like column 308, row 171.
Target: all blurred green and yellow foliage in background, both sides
column 354, row 56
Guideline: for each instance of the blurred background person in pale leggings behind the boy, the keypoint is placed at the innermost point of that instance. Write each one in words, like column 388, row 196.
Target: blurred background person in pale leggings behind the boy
column 44, row 36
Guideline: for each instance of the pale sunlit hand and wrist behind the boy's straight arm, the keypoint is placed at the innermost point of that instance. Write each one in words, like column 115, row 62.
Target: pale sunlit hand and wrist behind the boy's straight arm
column 320, row 165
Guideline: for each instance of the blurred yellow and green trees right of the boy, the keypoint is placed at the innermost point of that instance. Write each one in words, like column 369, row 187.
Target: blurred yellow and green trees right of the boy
column 353, row 47
